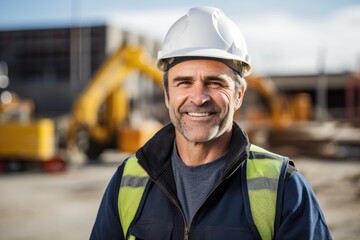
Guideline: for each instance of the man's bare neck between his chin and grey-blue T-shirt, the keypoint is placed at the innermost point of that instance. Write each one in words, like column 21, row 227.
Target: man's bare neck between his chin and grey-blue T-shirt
column 195, row 154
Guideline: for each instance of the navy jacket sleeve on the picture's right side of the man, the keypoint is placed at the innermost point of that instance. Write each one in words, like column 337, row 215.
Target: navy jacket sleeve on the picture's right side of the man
column 302, row 217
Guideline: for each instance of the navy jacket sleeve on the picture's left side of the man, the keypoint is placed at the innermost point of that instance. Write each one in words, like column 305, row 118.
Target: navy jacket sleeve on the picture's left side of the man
column 107, row 224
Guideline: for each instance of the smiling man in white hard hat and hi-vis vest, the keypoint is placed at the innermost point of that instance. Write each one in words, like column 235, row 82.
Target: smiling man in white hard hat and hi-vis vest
column 199, row 177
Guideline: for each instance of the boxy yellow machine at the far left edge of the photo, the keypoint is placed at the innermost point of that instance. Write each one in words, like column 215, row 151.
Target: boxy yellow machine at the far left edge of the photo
column 25, row 141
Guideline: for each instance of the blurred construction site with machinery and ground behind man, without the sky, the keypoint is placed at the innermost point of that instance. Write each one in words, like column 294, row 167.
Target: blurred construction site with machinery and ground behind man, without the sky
column 76, row 101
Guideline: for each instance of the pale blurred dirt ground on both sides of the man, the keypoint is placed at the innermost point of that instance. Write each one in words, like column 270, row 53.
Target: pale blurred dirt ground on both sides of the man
column 38, row 206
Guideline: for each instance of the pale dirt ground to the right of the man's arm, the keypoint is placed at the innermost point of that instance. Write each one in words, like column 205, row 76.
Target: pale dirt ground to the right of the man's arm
column 337, row 186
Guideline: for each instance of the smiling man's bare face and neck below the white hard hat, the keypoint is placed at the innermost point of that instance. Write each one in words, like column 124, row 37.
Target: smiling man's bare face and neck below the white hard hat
column 202, row 97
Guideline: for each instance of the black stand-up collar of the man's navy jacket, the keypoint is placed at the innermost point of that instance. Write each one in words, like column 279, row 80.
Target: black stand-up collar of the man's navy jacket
column 155, row 155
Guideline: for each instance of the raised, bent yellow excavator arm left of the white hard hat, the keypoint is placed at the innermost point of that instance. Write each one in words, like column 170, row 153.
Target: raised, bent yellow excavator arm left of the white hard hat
column 106, row 87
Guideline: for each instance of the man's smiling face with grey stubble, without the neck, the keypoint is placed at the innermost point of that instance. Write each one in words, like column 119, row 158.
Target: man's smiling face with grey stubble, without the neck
column 201, row 99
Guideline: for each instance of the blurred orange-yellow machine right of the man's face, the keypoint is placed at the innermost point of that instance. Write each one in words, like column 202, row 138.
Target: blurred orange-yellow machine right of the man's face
column 270, row 117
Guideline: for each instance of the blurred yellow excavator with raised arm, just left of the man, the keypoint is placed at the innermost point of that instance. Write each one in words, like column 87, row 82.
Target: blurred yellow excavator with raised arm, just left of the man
column 100, row 114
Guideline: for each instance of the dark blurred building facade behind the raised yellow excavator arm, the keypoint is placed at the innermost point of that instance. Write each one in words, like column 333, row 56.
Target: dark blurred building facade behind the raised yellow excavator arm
column 52, row 66
